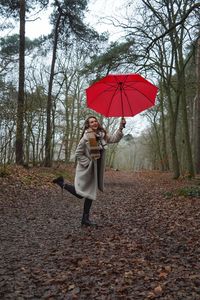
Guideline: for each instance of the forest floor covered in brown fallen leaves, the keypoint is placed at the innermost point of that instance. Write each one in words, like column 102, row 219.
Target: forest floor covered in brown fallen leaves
column 147, row 244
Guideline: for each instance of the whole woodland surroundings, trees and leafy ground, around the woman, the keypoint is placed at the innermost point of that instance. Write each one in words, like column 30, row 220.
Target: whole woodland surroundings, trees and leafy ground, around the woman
column 146, row 245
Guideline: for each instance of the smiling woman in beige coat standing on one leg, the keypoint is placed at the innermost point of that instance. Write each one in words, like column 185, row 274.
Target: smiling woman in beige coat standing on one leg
column 90, row 156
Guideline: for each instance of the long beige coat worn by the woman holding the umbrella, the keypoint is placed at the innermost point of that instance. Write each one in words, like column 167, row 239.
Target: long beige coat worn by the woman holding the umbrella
column 90, row 173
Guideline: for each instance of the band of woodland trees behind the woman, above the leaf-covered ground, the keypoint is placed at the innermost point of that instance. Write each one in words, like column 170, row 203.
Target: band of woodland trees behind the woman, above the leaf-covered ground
column 43, row 81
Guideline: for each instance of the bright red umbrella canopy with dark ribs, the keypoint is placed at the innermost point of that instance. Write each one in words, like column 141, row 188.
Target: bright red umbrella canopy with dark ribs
column 121, row 95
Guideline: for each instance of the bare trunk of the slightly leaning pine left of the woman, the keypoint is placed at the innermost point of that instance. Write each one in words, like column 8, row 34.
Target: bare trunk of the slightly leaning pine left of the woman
column 48, row 141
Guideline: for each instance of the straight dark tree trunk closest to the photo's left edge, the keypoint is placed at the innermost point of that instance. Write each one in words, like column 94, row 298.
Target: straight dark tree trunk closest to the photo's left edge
column 20, row 103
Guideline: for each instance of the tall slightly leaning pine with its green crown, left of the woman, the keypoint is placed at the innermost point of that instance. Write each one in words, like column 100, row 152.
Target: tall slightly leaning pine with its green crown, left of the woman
column 68, row 19
